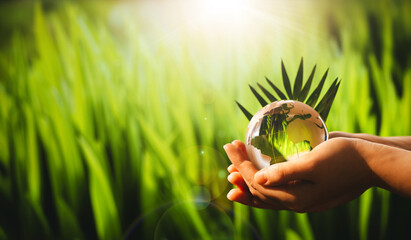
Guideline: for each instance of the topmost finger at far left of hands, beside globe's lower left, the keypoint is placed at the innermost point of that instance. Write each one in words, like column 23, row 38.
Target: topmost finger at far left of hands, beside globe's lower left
column 241, row 162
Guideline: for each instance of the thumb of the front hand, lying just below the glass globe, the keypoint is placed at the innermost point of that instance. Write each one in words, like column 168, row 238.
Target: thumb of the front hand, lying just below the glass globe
column 282, row 173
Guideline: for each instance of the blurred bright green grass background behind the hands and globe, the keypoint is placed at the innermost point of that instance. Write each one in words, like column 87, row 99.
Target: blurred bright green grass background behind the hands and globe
column 113, row 114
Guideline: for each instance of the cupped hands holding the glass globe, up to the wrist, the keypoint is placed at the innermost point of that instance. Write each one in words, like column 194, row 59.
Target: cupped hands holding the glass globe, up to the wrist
column 331, row 174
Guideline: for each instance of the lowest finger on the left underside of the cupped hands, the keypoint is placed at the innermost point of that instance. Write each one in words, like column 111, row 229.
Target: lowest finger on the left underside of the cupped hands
column 246, row 198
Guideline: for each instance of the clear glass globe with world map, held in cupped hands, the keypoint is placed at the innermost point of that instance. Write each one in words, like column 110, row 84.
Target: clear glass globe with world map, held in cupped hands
column 283, row 130
